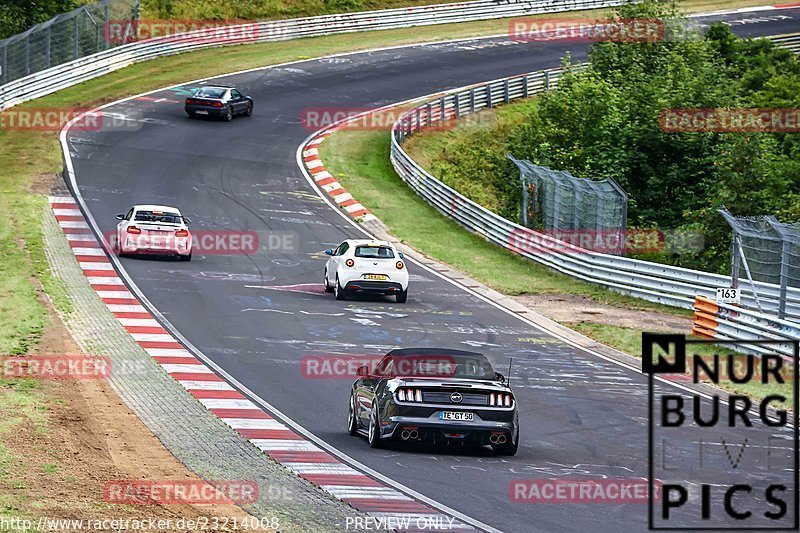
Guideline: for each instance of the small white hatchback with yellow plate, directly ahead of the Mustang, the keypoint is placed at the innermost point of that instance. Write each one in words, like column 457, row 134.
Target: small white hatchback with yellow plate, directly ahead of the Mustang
column 364, row 266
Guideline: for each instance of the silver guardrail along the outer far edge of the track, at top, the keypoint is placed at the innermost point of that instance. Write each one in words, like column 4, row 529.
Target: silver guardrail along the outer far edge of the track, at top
column 68, row 74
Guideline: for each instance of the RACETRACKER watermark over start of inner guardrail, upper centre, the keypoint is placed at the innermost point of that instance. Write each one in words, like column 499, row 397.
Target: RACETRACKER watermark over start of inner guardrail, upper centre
column 366, row 119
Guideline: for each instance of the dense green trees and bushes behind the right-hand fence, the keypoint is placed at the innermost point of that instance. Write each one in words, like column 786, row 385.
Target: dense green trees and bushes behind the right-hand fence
column 604, row 122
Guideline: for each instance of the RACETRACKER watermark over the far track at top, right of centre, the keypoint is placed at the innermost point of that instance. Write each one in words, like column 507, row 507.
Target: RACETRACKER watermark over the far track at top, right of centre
column 586, row 30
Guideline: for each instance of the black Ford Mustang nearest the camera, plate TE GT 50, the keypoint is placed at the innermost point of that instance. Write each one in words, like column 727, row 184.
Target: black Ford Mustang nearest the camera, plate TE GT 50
column 434, row 395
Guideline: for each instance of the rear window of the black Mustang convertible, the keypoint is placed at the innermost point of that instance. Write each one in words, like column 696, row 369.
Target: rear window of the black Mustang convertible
column 444, row 365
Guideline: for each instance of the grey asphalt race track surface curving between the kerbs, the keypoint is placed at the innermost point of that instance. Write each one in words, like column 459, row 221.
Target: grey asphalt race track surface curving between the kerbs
column 258, row 315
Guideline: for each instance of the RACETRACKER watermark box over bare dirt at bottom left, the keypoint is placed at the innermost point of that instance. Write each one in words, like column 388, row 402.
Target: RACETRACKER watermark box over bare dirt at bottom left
column 168, row 492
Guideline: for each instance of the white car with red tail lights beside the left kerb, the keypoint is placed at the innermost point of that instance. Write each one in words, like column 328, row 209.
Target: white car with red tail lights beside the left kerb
column 154, row 229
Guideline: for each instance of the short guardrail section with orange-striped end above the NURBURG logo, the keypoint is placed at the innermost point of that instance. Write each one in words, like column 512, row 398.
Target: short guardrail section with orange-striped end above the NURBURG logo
column 727, row 322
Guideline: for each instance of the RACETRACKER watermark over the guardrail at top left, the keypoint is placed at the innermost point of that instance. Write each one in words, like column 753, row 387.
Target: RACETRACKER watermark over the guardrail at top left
column 199, row 31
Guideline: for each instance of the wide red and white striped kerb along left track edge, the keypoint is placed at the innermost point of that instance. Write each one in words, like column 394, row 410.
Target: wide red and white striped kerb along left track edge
column 272, row 436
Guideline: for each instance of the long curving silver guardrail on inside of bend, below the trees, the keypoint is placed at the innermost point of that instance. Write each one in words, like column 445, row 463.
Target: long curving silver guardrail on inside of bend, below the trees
column 654, row 282
